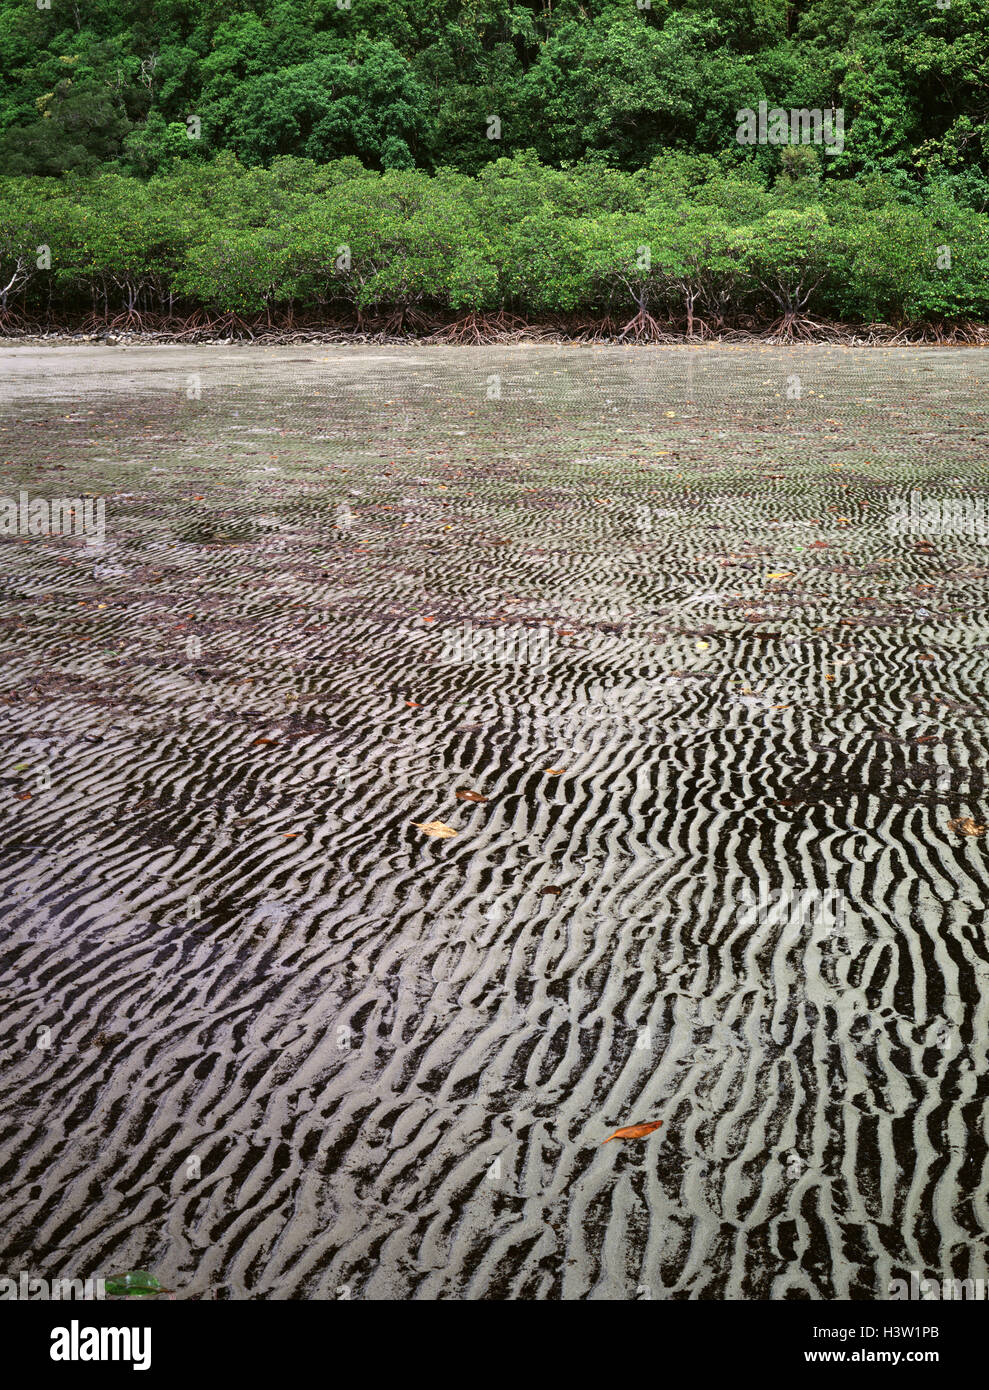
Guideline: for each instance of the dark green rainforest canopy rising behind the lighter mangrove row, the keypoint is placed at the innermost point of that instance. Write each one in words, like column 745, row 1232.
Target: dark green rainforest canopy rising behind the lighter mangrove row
column 398, row 85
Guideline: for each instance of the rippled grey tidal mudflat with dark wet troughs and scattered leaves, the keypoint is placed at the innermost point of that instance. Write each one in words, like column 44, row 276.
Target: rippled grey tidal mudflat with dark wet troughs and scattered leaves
column 705, row 635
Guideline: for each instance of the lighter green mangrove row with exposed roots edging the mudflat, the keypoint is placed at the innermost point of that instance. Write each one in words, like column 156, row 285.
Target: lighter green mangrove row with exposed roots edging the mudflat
column 690, row 240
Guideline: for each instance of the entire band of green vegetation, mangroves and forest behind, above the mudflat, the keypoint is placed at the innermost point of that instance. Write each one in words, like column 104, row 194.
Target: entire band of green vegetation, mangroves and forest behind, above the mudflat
column 404, row 167
